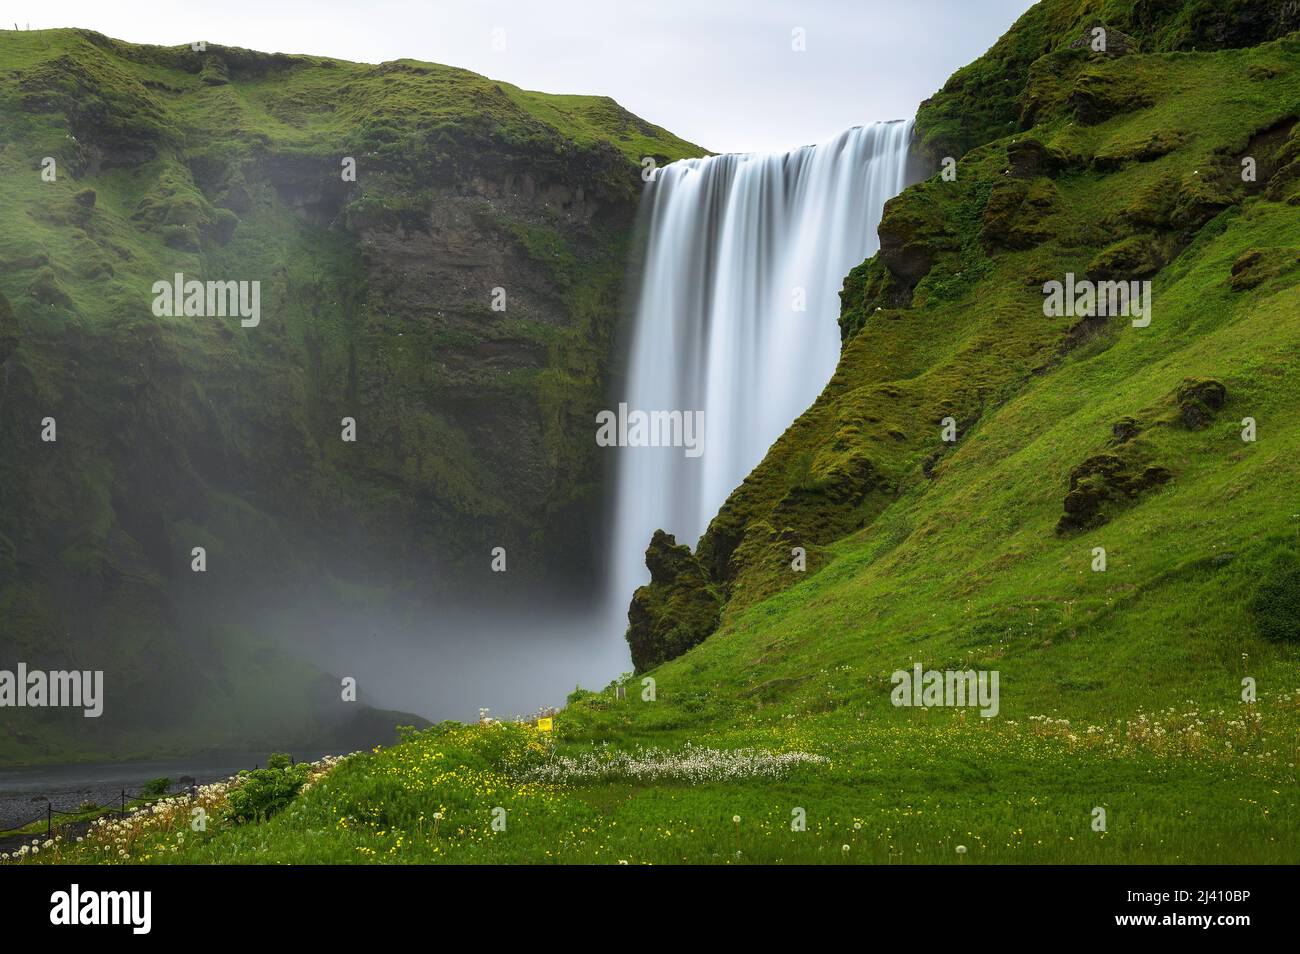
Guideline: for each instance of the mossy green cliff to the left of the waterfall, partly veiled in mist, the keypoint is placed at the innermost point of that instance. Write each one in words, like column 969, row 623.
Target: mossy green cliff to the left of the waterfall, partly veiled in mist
column 473, row 424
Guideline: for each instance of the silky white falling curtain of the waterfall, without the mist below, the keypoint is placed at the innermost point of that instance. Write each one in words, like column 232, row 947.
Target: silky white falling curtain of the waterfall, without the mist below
column 736, row 318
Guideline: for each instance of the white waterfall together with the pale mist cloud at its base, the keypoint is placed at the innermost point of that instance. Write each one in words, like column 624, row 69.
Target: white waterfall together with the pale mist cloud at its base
column 714, row 328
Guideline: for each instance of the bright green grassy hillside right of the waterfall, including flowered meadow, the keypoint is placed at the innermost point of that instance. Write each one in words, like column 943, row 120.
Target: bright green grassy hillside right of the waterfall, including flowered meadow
column 1121, row 690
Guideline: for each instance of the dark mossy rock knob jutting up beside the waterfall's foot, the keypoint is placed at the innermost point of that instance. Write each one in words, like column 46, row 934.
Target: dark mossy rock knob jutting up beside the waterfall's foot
column 677, row 610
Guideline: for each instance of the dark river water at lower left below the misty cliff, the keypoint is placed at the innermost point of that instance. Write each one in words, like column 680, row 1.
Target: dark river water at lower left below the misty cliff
column 24, row 791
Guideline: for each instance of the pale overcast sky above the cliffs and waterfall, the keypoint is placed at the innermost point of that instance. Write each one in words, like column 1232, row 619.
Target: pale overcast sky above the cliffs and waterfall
column 721, row 73
